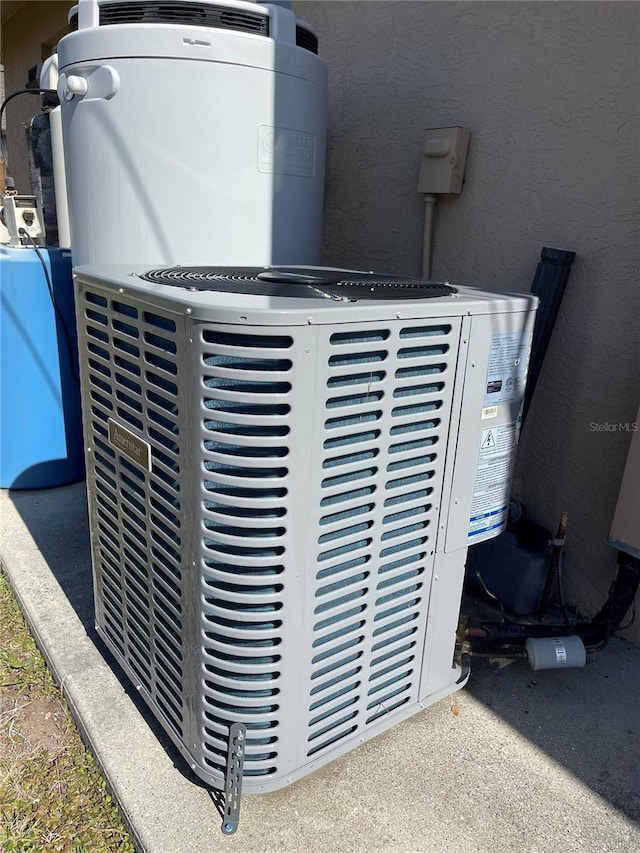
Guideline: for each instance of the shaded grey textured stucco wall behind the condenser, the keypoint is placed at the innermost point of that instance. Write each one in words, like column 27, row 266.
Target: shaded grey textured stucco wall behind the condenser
column 550, row 92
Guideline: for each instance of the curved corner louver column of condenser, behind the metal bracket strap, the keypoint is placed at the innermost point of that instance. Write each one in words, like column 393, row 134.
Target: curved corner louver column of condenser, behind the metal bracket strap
column 247, row 401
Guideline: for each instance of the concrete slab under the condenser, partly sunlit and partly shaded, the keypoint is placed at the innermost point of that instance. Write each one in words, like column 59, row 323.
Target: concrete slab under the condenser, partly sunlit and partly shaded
column 533, row 762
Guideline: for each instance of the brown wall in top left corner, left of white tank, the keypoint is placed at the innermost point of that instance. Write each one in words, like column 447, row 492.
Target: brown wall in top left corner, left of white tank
column 25, row 37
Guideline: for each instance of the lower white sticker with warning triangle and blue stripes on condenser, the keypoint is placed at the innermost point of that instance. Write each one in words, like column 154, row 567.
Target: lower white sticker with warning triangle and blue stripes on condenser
column 490, row 504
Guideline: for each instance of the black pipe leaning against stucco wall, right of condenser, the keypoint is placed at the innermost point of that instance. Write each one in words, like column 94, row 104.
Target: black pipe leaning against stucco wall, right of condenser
column 548, row 285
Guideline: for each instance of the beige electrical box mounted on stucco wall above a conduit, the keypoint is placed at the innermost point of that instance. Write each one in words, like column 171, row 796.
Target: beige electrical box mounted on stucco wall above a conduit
column 443, row 161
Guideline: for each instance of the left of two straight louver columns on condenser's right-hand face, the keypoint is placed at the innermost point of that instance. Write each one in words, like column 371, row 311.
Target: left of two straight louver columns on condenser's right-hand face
column 351, row 466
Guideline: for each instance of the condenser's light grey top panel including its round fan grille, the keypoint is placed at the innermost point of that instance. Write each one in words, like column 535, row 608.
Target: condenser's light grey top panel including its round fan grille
column 296, row 295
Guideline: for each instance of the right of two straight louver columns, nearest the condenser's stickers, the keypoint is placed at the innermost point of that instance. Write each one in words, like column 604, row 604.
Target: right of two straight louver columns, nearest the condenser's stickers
column 416, row 444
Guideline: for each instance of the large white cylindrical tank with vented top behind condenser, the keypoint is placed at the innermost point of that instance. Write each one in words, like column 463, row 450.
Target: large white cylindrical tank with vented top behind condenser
column 194, row 132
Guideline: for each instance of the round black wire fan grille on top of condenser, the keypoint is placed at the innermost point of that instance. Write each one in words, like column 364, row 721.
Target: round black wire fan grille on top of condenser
column 301, row 283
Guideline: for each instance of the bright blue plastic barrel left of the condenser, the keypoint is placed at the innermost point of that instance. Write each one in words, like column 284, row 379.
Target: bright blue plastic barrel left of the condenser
column 41, row 441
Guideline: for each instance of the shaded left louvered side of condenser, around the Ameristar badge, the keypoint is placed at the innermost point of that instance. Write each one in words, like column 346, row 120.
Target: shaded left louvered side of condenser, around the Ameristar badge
column 132, row 378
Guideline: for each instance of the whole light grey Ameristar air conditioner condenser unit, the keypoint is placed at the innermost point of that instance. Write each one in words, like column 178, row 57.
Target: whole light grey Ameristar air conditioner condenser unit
column 285, row 469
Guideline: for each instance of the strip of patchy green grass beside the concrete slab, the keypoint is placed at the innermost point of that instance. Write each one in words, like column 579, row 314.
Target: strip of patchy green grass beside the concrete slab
column 52, row 794
